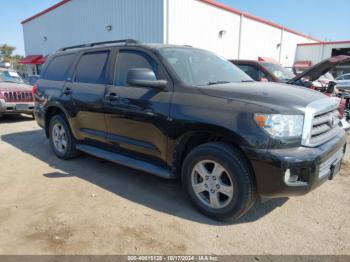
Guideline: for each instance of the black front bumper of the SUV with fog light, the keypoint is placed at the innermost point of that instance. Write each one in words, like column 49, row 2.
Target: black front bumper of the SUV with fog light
column 271, row 165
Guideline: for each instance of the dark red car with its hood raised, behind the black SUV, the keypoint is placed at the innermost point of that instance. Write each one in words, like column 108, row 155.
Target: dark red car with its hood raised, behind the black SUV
column 316, row 77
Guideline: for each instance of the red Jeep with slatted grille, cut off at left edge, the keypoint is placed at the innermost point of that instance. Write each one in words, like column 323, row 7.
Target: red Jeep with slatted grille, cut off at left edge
column 15, row 96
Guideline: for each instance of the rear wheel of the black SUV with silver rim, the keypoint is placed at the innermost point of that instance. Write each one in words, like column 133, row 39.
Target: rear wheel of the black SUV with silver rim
column 62, row 143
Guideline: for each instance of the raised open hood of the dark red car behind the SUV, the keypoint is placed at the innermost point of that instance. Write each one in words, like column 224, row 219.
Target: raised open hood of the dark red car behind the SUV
column 320, row 69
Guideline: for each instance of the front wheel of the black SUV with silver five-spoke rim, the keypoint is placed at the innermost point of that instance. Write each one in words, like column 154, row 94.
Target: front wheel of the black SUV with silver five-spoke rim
column 226, row 191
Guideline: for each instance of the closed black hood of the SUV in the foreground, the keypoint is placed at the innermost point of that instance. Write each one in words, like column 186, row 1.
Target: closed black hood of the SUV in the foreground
column 274, row 96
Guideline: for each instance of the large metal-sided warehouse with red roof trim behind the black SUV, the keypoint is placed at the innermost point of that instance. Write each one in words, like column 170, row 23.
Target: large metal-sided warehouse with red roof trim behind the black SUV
column 201, row 23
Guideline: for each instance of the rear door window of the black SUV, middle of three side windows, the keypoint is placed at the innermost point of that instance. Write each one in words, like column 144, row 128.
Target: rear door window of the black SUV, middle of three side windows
column 92, row 68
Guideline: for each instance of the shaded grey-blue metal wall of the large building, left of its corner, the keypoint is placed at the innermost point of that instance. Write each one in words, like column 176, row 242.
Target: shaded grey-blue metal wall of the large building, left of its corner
column 84, row 21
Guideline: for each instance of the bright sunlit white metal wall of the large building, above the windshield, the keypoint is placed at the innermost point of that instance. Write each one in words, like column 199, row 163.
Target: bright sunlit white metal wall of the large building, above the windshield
column 196, row 23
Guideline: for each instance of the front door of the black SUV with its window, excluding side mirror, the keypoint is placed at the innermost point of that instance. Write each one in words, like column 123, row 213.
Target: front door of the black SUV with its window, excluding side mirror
column 136, row 117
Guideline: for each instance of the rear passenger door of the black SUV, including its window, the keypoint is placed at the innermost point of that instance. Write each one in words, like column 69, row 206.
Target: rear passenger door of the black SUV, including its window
column 86, row 89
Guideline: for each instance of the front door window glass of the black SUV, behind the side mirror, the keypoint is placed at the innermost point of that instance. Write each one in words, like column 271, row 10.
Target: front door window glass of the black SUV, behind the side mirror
column 127, row 61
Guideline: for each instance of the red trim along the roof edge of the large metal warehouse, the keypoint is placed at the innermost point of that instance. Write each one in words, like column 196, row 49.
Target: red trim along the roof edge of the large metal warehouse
column 211, row 2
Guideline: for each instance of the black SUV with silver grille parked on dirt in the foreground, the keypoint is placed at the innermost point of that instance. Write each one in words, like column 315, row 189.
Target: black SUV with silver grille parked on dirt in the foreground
column 182, row 112
